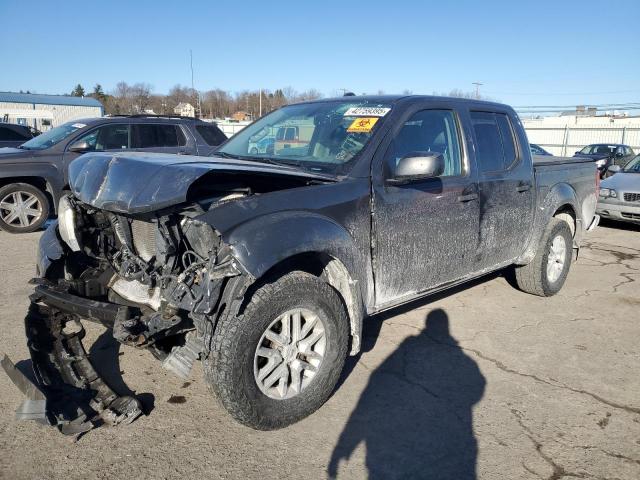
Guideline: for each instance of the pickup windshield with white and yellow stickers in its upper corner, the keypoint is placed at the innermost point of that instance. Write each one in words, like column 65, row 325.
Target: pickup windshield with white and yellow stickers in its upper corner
column 323, row 136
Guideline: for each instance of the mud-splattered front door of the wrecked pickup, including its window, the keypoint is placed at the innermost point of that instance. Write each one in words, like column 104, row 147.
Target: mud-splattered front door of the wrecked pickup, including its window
column 426, row 230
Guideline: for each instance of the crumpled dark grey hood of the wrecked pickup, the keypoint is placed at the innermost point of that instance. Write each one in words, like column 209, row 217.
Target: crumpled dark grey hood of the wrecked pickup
column 135, row 182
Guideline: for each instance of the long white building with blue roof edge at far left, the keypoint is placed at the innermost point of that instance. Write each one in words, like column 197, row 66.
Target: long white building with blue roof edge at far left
column 46, row 111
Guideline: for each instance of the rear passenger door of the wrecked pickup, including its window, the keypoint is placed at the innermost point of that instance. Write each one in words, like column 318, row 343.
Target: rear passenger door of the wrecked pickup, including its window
column 506, row 188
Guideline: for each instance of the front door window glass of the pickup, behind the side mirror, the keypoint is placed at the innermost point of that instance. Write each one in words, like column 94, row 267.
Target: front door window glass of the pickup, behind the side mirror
column 430, row 131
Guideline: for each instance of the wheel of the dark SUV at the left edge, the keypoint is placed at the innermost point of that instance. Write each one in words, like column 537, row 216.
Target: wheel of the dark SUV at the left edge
column 23, row 208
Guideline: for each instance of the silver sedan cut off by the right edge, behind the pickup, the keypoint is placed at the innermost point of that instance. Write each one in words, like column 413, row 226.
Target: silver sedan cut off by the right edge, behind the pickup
column 620, row 194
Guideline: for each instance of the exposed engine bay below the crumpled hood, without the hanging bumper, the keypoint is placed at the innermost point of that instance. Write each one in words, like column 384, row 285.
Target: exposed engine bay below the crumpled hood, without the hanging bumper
column 168, row 269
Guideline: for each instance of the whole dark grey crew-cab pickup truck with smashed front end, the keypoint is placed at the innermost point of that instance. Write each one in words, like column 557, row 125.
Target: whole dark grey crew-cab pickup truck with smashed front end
column 263, row 266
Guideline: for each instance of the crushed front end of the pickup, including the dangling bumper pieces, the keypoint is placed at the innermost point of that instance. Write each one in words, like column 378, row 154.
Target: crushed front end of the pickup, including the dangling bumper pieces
column 158, row 280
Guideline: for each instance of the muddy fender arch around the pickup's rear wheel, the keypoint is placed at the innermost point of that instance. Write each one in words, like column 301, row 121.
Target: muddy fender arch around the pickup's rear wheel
column 559, row 195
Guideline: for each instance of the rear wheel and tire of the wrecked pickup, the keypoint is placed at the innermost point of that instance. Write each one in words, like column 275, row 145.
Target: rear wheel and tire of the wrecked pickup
column 548, row 270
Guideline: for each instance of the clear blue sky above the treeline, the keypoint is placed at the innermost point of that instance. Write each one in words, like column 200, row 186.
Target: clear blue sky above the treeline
column 525, row 53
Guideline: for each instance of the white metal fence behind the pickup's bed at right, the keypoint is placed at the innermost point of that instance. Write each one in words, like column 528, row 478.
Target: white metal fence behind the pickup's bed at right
column 566, row 140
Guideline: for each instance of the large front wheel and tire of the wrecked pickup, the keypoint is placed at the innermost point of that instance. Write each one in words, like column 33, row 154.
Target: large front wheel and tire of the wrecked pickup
column 250, row 351
